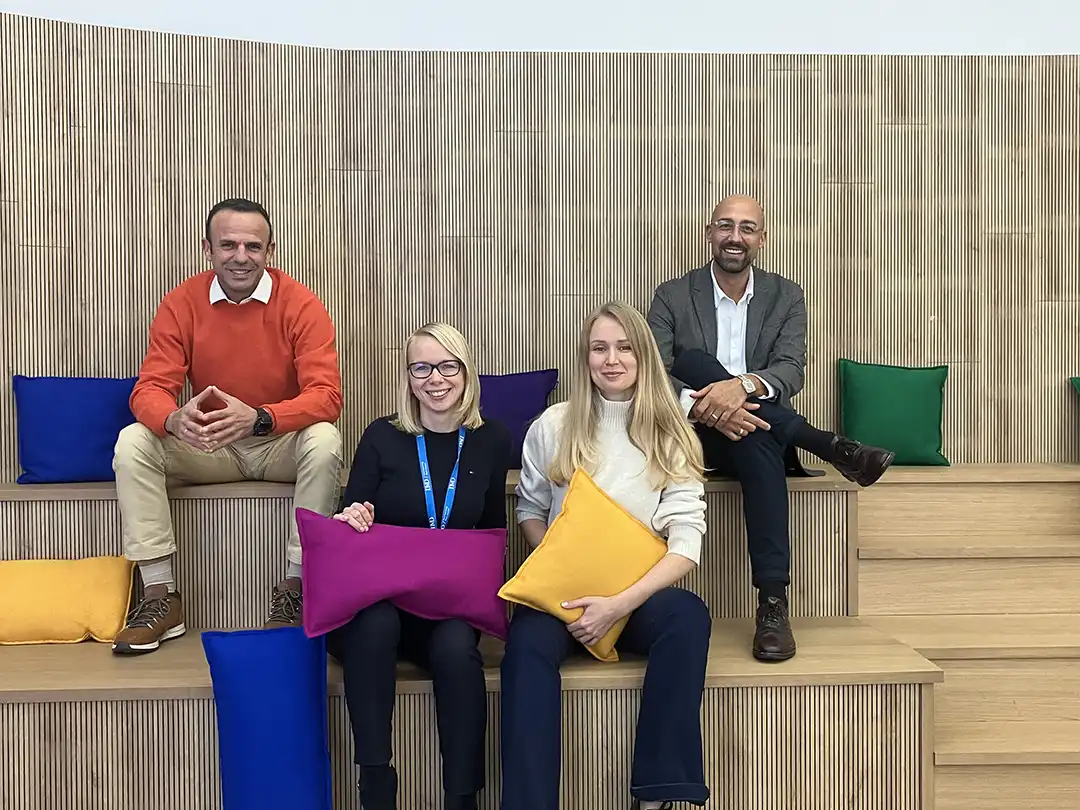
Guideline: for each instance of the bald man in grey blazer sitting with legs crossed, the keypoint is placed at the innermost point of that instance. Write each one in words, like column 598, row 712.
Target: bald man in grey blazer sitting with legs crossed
column 733, row 337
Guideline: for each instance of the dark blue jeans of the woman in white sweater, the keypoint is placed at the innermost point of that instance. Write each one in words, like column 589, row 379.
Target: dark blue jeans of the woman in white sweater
column 672, row 629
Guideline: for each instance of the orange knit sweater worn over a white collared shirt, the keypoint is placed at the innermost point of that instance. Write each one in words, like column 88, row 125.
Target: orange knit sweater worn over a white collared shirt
column 280, row 356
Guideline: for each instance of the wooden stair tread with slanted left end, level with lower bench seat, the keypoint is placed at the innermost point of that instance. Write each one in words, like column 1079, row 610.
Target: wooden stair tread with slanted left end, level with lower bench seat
column 966, row 638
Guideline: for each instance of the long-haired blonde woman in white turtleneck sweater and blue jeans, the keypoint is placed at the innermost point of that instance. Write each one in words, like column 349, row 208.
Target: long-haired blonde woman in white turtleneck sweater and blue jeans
column 624, row 426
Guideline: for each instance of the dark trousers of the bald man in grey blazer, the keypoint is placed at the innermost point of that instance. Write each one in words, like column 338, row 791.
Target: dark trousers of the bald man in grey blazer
column 758, row 463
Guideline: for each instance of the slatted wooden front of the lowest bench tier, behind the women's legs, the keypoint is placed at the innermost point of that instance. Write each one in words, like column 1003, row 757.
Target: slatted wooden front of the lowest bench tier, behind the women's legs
column 854, row 748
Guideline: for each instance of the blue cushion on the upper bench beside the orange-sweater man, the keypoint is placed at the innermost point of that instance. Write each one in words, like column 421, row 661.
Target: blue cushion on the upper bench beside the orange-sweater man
column 69, row 427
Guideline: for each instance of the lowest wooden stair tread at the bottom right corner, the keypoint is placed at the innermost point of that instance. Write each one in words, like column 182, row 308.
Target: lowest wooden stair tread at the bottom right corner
column 1008, row 744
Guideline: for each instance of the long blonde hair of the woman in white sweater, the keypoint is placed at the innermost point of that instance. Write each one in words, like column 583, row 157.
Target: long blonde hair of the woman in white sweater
column 658, row 427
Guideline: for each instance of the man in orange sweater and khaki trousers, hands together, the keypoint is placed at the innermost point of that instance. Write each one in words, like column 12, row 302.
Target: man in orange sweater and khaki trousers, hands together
column 259, row 348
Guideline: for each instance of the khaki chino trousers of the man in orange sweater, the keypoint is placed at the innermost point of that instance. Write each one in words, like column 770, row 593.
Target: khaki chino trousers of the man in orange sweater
column 146, row 466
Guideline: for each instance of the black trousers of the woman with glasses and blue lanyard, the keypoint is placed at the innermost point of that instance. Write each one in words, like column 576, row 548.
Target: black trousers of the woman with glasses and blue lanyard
column 369, row 649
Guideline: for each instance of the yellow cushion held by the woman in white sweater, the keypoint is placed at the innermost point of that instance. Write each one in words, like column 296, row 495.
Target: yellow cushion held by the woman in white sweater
column 593, row 548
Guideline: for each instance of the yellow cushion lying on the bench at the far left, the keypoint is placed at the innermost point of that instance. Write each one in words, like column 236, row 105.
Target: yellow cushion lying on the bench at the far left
column 64, row 601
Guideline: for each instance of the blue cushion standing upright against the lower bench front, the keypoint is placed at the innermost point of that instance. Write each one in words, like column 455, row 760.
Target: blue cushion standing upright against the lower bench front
column 273, row 727
